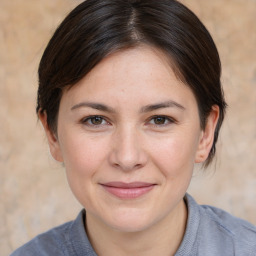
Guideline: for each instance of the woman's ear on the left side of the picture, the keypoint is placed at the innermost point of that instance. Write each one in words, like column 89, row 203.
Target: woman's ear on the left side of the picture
column 51, row 137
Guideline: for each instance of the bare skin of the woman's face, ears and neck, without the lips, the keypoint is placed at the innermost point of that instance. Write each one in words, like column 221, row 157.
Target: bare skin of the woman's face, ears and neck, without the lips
column 126, row 142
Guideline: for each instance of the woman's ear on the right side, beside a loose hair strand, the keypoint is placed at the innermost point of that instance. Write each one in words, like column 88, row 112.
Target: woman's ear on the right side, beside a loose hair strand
column 207, row 135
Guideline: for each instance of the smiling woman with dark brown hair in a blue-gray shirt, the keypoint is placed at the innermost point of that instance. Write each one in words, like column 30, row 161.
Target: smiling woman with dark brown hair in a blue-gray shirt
column 130, row 99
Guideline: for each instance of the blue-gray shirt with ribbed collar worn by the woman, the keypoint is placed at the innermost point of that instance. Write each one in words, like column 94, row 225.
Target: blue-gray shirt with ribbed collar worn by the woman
column 209, row 232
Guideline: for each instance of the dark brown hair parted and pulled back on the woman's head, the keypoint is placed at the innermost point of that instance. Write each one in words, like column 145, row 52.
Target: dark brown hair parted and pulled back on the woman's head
column 97, row 28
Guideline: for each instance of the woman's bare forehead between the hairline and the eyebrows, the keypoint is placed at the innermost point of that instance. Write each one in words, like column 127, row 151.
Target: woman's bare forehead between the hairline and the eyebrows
column 140, row 74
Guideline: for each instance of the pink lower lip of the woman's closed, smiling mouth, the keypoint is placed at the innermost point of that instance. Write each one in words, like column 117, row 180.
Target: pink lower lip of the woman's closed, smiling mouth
column 128, row 193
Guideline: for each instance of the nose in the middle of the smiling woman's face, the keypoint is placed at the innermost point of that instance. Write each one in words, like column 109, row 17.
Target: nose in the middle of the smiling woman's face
column 128, row 152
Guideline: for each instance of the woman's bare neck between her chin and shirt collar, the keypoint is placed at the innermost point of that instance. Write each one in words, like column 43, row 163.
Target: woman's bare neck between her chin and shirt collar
column 162, row 238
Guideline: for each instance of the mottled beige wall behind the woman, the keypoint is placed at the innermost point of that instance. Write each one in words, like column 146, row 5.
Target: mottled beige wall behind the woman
column 34, row 194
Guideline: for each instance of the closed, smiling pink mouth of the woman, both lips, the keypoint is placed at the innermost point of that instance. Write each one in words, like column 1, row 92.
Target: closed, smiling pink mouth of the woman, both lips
column 131, row 190
